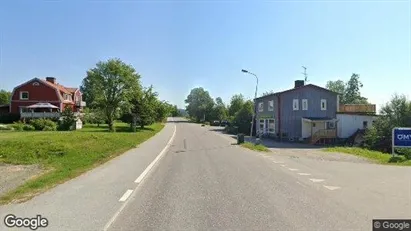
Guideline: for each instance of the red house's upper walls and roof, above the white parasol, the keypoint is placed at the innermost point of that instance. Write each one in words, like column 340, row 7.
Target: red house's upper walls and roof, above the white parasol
column 44, row 91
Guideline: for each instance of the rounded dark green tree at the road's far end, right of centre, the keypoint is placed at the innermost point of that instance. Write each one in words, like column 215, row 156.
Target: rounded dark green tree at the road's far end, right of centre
column 200, row 104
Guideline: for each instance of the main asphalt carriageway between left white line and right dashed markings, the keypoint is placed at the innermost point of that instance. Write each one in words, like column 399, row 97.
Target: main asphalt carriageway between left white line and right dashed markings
column 206, row 183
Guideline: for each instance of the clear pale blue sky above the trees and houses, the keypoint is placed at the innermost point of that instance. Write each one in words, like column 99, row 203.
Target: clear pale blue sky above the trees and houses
column 179, row 45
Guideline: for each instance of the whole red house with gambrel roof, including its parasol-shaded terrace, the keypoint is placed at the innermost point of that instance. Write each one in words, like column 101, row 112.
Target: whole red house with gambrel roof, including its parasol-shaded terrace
column 38, row 98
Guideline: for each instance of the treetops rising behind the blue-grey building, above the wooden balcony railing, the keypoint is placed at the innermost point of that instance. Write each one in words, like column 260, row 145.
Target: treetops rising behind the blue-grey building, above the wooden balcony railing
column 349, row 91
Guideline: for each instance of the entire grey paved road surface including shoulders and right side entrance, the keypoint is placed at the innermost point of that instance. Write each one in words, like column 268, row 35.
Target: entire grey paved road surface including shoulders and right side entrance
column 202, row 181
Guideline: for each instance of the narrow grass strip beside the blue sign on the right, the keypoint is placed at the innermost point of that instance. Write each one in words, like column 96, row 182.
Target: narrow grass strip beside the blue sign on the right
column 375, row 156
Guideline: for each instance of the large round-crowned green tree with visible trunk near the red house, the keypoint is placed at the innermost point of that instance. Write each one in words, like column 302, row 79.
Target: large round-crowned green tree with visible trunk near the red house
column 109, row 87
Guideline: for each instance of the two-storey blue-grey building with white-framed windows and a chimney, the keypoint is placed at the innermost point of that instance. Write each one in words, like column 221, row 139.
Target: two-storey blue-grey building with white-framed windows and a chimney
column 304, row 112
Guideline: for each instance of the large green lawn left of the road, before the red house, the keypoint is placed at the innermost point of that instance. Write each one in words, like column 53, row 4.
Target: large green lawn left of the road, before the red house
column 65, row 155
